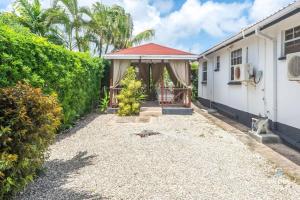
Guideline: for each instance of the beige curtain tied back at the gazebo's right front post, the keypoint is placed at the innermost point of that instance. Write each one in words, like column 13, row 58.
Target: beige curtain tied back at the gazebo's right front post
column 181, row 71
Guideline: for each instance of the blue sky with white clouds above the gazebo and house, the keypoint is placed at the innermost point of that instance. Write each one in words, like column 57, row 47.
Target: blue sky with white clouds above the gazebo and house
column 191, row 25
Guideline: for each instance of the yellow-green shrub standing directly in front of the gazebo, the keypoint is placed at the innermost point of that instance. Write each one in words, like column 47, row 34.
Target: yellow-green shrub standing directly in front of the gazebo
column 131, row 94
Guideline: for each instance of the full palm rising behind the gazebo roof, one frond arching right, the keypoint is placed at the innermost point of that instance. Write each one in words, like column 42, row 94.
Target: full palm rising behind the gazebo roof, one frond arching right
column 112, row 26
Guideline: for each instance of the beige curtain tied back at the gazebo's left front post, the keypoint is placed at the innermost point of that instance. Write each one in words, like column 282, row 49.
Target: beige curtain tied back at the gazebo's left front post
column 120, row 67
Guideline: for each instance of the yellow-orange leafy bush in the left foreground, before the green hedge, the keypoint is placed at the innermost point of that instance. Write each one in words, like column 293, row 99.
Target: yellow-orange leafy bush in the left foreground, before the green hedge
column 28, row 123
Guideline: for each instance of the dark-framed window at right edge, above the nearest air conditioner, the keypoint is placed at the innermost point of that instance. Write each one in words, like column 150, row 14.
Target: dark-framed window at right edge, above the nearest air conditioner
column 292, row 40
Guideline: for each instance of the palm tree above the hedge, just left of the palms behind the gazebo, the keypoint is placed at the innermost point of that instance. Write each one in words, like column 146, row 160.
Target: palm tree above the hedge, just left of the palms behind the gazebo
column 70, row 15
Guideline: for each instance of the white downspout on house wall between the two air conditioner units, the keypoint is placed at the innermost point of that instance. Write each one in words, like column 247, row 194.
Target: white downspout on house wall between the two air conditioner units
column 275, row 99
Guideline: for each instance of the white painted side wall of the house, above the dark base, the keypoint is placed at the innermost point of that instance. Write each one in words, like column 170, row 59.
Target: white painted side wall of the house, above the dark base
column 259, row 99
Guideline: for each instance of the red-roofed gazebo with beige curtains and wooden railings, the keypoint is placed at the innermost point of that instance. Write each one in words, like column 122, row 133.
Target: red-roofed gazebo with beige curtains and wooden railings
column 152, row 61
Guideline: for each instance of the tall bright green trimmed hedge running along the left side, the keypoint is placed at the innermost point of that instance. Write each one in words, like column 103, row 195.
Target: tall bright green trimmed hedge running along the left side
column 74, row 76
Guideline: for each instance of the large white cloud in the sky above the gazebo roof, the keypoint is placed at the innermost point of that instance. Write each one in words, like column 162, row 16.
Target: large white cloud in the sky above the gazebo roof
column 195, row 17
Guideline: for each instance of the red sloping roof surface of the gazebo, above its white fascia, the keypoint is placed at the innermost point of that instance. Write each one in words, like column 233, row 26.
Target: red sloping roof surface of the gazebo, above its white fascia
column 150, row 49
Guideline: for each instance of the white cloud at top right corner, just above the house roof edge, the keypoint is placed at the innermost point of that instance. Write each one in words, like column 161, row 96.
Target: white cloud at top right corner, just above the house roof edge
column 263, row 8
